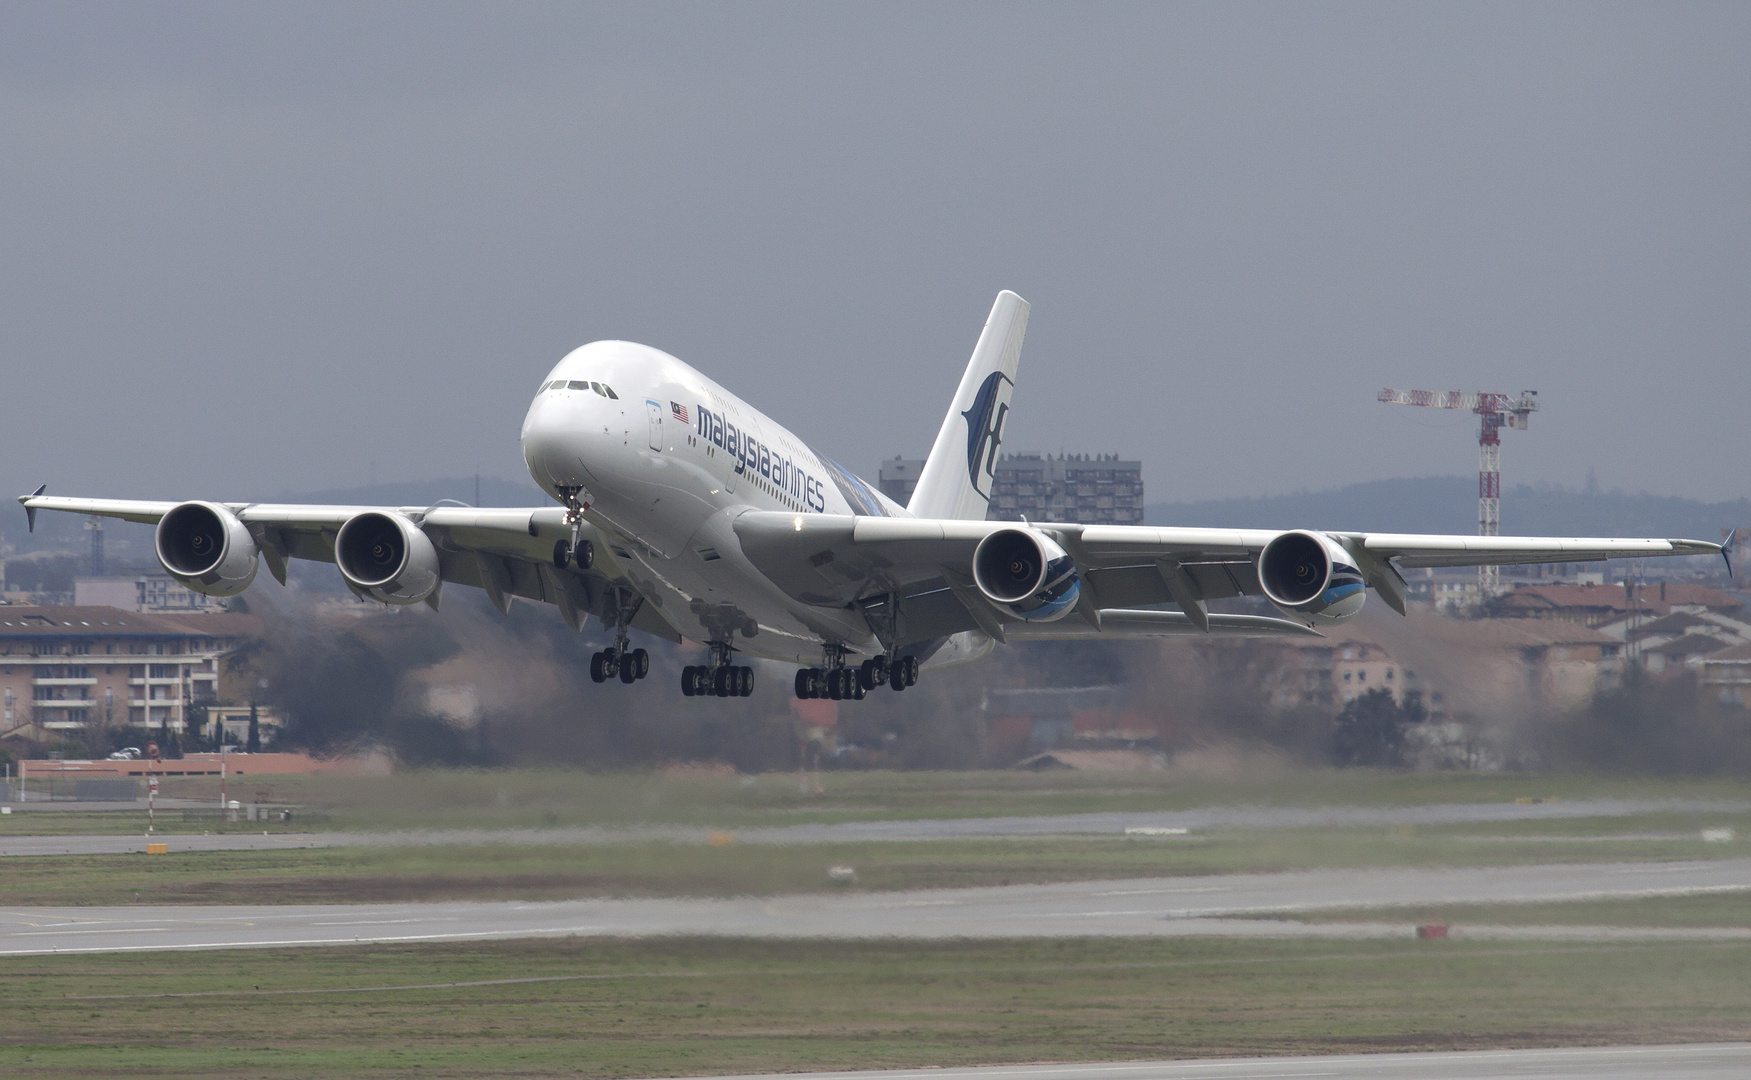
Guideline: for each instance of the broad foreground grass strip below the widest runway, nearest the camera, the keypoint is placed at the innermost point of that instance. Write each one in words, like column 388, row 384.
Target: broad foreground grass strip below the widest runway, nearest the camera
column 679, row 1007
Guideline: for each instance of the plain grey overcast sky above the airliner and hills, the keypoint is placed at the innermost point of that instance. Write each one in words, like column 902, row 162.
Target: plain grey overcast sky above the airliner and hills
column 264, row 248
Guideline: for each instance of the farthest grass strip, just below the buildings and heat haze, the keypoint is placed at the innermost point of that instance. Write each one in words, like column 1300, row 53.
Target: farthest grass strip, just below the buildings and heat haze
column 535, row 799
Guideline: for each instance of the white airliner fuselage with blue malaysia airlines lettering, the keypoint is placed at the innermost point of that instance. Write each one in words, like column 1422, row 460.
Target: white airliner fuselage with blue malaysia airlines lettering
column 663, row 466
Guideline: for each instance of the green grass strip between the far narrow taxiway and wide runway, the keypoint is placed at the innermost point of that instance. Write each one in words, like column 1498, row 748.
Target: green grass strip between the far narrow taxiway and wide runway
column 563, row 873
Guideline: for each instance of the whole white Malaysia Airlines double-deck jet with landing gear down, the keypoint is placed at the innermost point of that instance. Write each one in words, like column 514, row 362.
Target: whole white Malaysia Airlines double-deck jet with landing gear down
column 686, row 514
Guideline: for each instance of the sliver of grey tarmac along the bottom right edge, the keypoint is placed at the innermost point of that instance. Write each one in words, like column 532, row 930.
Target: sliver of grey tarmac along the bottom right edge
column 1589, row 1063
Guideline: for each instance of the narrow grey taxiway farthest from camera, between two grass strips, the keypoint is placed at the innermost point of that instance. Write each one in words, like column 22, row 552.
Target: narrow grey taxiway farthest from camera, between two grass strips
column 948, row 829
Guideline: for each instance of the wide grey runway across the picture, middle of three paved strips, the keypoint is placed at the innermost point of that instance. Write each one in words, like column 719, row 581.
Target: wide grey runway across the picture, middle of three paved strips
column 1216, row 906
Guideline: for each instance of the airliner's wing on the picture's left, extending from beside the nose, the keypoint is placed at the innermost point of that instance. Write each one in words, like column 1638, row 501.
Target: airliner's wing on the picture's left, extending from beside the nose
column 505, row 552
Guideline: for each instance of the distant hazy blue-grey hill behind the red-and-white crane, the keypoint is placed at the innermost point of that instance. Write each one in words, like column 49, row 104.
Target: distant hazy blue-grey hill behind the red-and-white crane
column 1451, row 505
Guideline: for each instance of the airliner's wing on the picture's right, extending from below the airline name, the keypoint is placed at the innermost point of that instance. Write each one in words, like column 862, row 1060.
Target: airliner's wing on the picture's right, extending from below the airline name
column 824, row 559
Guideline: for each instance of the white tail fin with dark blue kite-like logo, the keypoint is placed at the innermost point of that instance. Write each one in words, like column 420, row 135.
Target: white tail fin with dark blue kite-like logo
column 957, row 479
